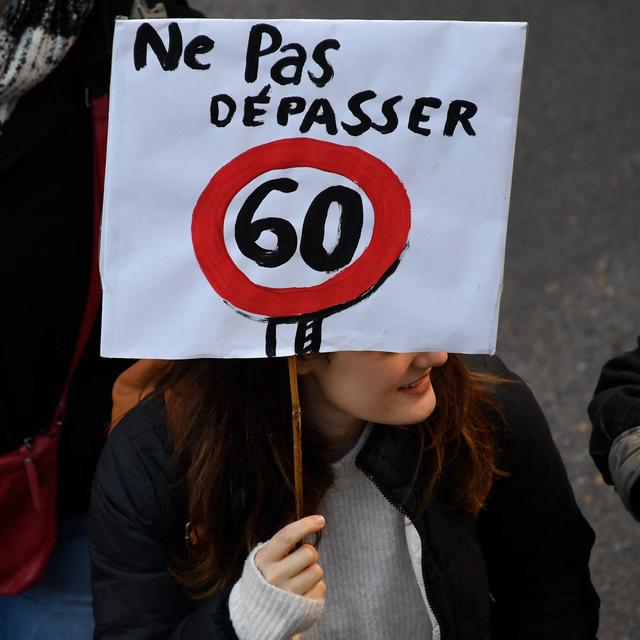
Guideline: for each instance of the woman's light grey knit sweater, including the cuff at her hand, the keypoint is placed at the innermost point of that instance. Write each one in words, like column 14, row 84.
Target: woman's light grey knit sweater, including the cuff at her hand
column 373, row 591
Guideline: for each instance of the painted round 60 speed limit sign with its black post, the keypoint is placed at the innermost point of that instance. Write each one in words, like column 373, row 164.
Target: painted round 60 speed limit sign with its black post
column 351, row 277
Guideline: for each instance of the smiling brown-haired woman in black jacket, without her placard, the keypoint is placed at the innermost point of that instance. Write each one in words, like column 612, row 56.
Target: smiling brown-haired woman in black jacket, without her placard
column 444, row 507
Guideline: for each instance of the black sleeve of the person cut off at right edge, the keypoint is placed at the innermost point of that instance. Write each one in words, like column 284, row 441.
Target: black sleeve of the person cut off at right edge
column 615, row 407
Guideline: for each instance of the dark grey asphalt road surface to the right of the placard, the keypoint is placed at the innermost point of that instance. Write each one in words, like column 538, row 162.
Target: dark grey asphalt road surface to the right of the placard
column 572, row 277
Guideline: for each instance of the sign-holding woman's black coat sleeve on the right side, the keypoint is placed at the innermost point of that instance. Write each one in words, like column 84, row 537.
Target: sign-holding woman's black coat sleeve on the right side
column 535, row 541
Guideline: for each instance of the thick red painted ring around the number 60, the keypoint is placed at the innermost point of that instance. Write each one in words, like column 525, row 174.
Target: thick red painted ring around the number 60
column 392, row 221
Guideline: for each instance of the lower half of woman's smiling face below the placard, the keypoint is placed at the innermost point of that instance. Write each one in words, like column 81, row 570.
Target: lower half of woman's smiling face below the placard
column 346, row 387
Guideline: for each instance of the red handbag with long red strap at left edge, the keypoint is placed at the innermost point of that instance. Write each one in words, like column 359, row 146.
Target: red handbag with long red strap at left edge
column 28, row 476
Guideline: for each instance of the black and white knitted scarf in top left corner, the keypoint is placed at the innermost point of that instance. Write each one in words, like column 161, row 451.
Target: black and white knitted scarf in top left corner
column 35, row 35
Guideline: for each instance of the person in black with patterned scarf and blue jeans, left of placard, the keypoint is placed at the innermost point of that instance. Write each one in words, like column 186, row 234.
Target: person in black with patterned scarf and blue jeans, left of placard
column 54, row 58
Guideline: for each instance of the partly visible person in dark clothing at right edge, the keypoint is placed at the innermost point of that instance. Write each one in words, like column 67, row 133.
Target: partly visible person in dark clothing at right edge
column 615, row 418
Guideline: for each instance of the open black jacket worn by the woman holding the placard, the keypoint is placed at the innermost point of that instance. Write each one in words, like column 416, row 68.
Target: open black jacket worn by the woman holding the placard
column 520, row 571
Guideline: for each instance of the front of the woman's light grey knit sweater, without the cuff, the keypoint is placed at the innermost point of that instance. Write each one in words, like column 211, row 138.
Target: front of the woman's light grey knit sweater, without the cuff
column 372, row 590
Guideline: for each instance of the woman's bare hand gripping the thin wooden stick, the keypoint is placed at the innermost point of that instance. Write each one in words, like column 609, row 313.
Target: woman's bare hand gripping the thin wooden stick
column 296, row 571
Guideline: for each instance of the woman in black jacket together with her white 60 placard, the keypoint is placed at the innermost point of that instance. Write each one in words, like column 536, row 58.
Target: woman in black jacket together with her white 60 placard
column 444, row 508
